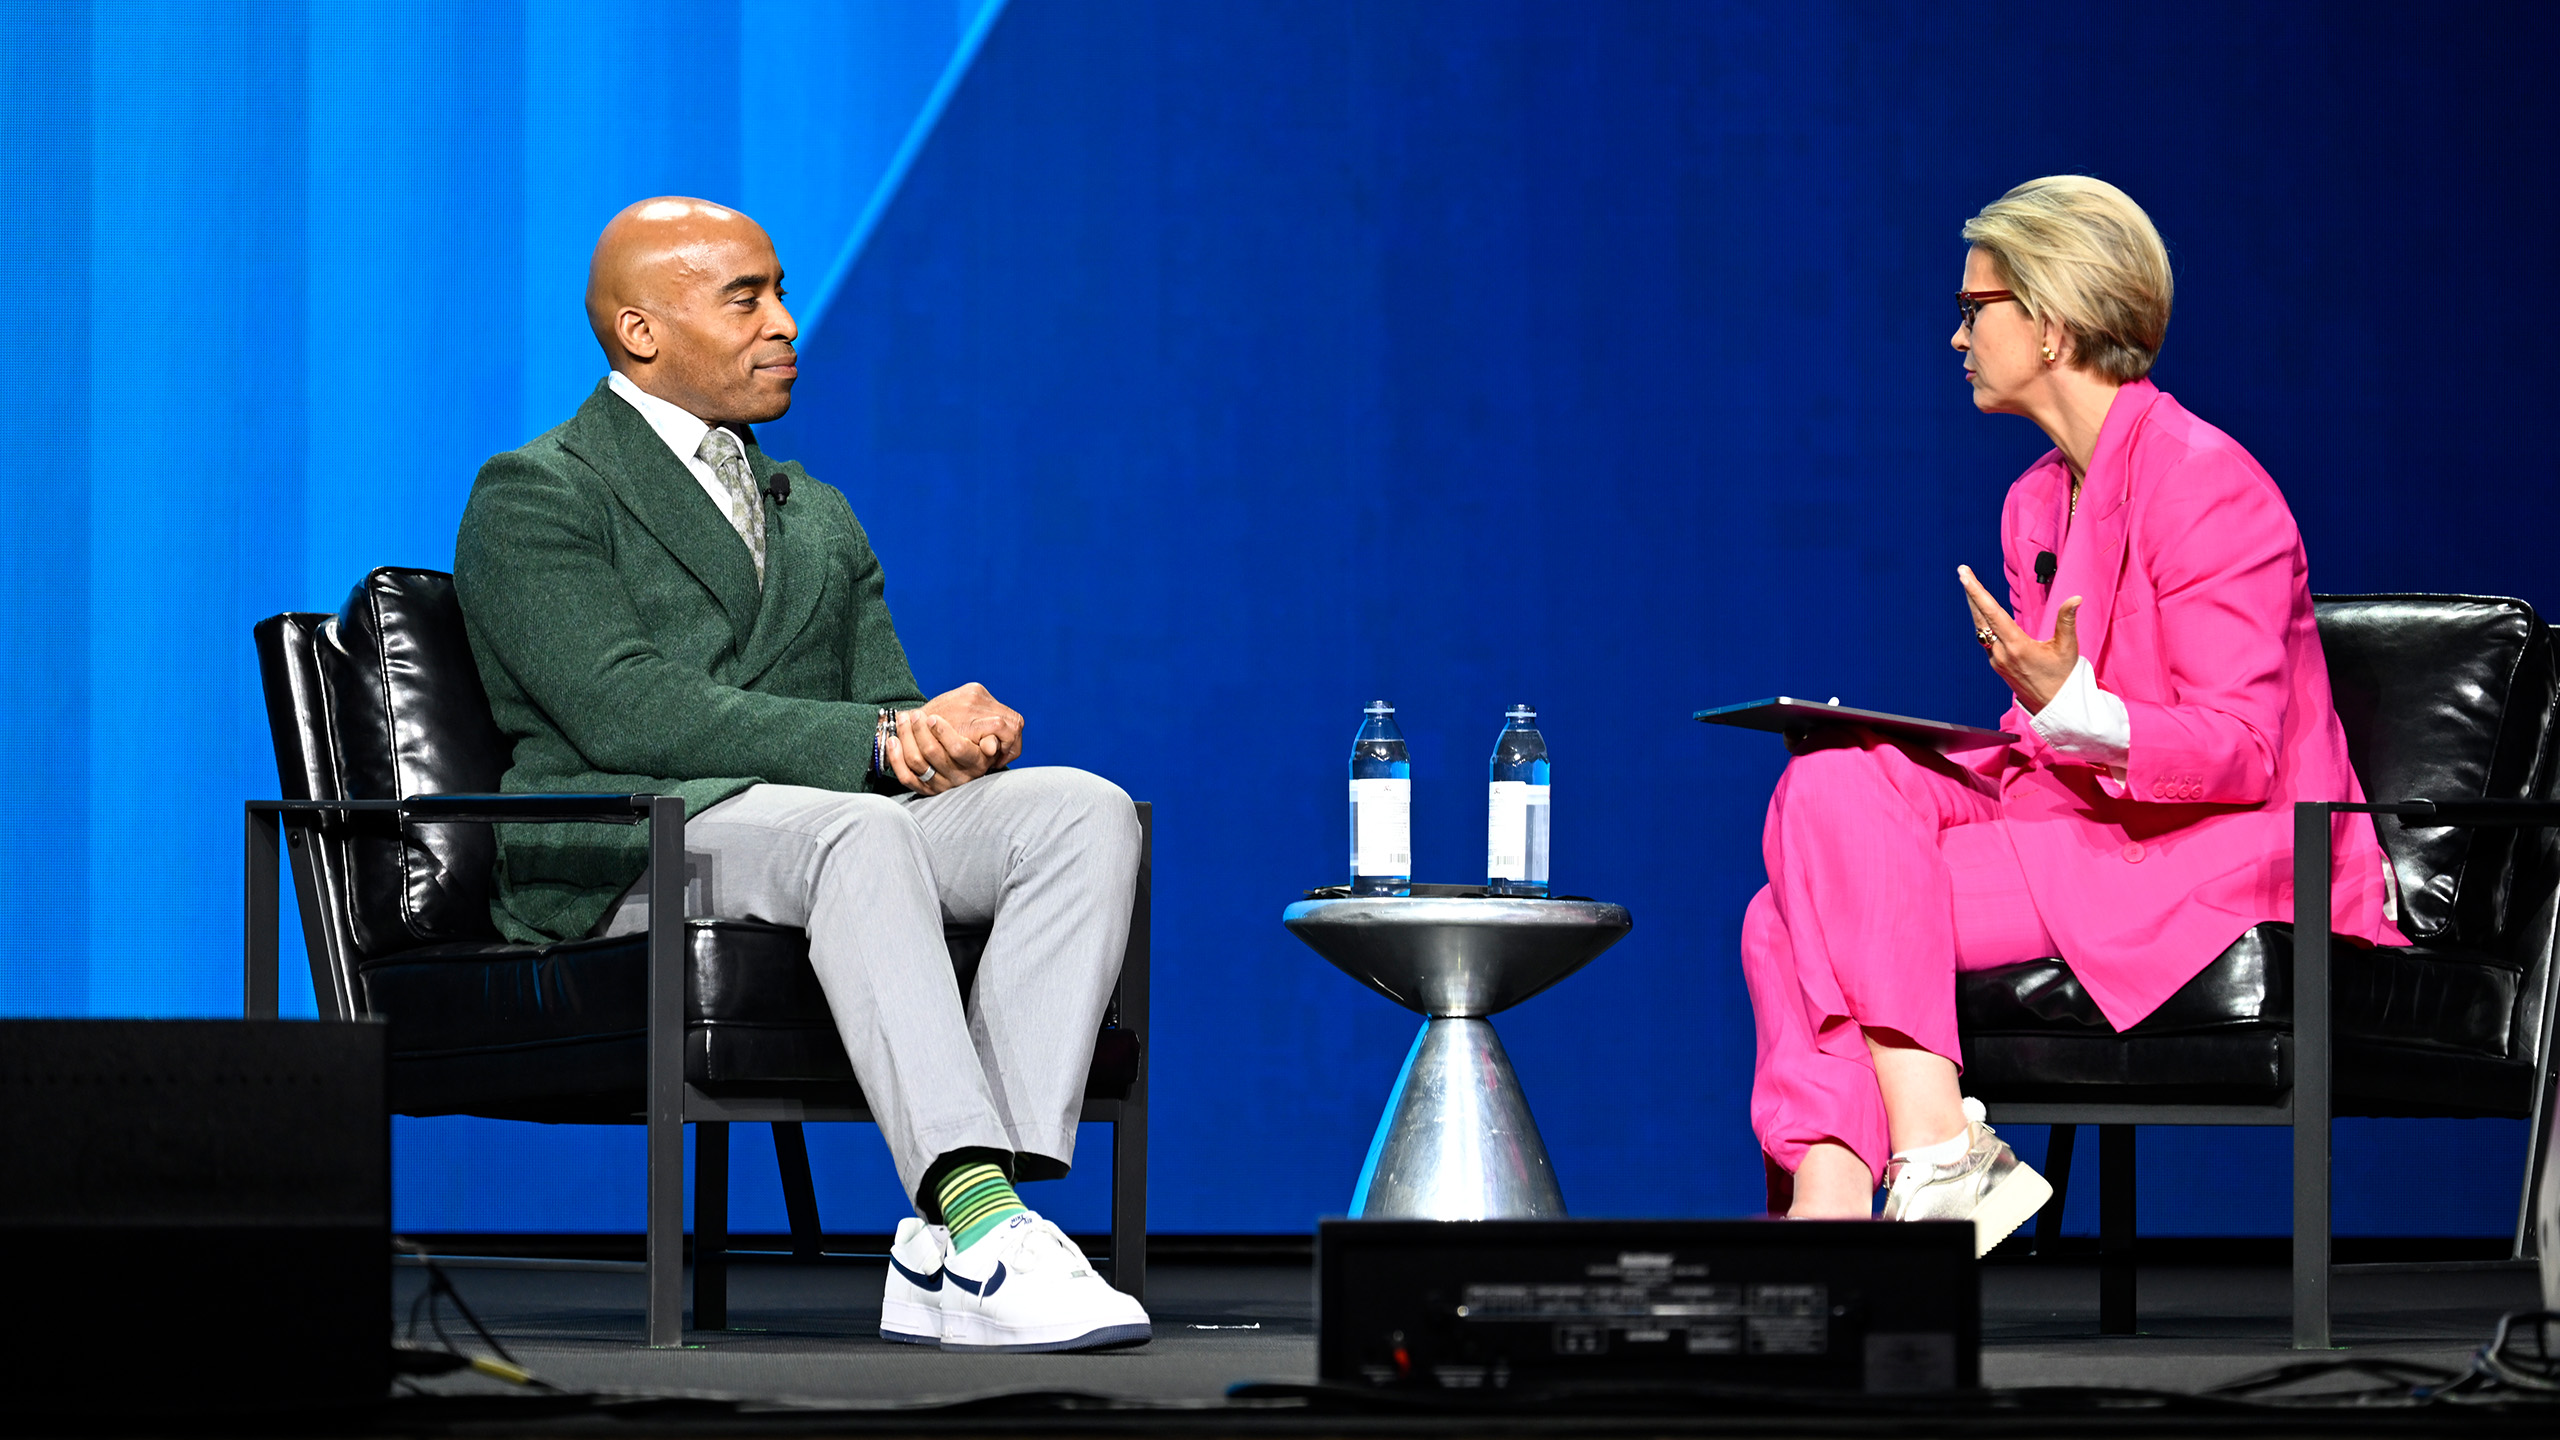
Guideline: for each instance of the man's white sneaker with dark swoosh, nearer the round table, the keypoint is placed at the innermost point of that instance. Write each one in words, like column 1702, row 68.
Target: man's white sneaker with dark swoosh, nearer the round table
column 1028, row 1288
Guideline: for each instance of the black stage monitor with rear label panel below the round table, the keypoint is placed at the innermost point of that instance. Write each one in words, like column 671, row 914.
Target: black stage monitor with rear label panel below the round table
column 1524, row 1305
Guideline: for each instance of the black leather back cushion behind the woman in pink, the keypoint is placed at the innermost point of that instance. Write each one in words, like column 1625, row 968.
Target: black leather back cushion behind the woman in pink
column 2444, row 698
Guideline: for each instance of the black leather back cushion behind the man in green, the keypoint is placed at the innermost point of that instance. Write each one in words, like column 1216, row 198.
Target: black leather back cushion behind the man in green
column 413, row 719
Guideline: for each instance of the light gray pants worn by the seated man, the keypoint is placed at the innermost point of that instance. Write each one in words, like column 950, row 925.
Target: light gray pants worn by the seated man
column 1043, row 855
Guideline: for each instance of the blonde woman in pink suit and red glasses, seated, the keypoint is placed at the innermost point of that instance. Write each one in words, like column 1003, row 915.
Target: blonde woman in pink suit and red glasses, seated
column 2170, row 698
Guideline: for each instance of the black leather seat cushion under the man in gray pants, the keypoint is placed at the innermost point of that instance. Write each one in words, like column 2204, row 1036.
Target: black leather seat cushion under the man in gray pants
column 559, row 1031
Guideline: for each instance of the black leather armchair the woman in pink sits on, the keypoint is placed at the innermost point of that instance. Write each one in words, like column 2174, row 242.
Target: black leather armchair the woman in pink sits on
column 2446, row 701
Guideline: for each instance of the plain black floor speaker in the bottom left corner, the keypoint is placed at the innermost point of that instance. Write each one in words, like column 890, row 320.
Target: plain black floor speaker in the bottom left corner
column 196, row 1216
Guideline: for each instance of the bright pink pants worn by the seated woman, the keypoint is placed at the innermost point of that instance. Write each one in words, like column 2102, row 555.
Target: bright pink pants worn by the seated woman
column 1888, row 875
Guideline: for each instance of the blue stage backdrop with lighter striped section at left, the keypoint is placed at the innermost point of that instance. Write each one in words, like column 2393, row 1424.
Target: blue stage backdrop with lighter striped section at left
column 1204, row 373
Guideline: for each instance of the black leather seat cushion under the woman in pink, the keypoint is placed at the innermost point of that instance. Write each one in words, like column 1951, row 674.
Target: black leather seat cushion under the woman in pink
column 2426, row 1024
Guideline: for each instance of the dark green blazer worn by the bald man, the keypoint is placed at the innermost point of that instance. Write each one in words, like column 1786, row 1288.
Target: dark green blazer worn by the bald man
column 626, row 647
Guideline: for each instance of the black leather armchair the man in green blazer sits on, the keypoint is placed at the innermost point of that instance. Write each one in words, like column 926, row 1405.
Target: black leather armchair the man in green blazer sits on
column 388, row 757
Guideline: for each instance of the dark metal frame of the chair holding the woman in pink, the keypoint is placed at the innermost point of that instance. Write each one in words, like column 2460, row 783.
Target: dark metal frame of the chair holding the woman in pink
column 2305, row 1108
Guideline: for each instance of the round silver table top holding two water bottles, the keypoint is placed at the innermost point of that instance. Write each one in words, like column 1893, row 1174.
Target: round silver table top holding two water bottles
column 1455, row 952
